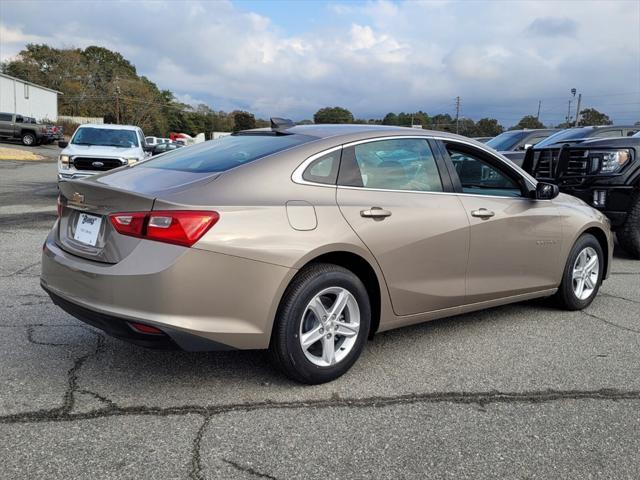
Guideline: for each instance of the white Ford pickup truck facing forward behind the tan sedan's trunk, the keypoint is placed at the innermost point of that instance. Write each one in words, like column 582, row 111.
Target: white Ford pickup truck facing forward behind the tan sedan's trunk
column 98, row 148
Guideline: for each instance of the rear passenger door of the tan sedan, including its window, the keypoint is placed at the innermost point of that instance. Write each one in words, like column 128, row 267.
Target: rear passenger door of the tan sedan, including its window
column 396, row 195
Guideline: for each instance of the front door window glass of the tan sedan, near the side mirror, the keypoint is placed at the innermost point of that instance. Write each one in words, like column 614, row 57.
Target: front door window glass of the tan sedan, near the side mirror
column 479, row 177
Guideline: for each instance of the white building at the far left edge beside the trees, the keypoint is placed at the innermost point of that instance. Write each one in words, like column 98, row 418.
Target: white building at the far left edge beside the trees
column 28, row 99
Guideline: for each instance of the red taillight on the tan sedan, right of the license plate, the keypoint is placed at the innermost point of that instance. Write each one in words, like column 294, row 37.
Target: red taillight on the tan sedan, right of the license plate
column 180, row 227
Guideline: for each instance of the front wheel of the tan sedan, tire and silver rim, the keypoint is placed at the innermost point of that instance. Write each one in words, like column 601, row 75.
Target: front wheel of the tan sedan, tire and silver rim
column 580, row 282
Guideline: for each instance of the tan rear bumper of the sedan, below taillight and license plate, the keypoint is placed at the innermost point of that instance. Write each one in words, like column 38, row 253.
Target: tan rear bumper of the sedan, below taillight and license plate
column 201, row 300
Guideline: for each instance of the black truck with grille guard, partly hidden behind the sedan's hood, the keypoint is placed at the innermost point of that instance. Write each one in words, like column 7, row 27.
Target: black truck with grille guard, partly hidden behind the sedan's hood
column 604, row 172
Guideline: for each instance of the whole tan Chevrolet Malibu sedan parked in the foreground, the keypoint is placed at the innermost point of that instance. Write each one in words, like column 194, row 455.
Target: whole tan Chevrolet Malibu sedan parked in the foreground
column 306, row 240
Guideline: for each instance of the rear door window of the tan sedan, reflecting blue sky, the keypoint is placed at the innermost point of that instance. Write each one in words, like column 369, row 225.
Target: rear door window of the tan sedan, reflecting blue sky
column 398, row 164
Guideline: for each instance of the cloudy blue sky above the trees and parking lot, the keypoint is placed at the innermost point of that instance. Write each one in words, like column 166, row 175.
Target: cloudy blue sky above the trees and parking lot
column 290, row 58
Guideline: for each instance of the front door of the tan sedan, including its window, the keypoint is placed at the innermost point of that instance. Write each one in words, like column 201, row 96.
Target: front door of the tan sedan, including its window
column 515, row 241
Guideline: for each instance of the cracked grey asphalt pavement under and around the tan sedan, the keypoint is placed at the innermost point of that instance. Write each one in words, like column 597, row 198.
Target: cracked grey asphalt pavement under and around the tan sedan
column 522, row 391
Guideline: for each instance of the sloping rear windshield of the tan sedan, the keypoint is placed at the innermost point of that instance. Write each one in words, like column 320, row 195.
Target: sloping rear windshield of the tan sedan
column 225, row 153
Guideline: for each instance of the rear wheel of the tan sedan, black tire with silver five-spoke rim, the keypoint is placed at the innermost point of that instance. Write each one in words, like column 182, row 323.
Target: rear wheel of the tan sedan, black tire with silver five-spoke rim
column 297, row 321
